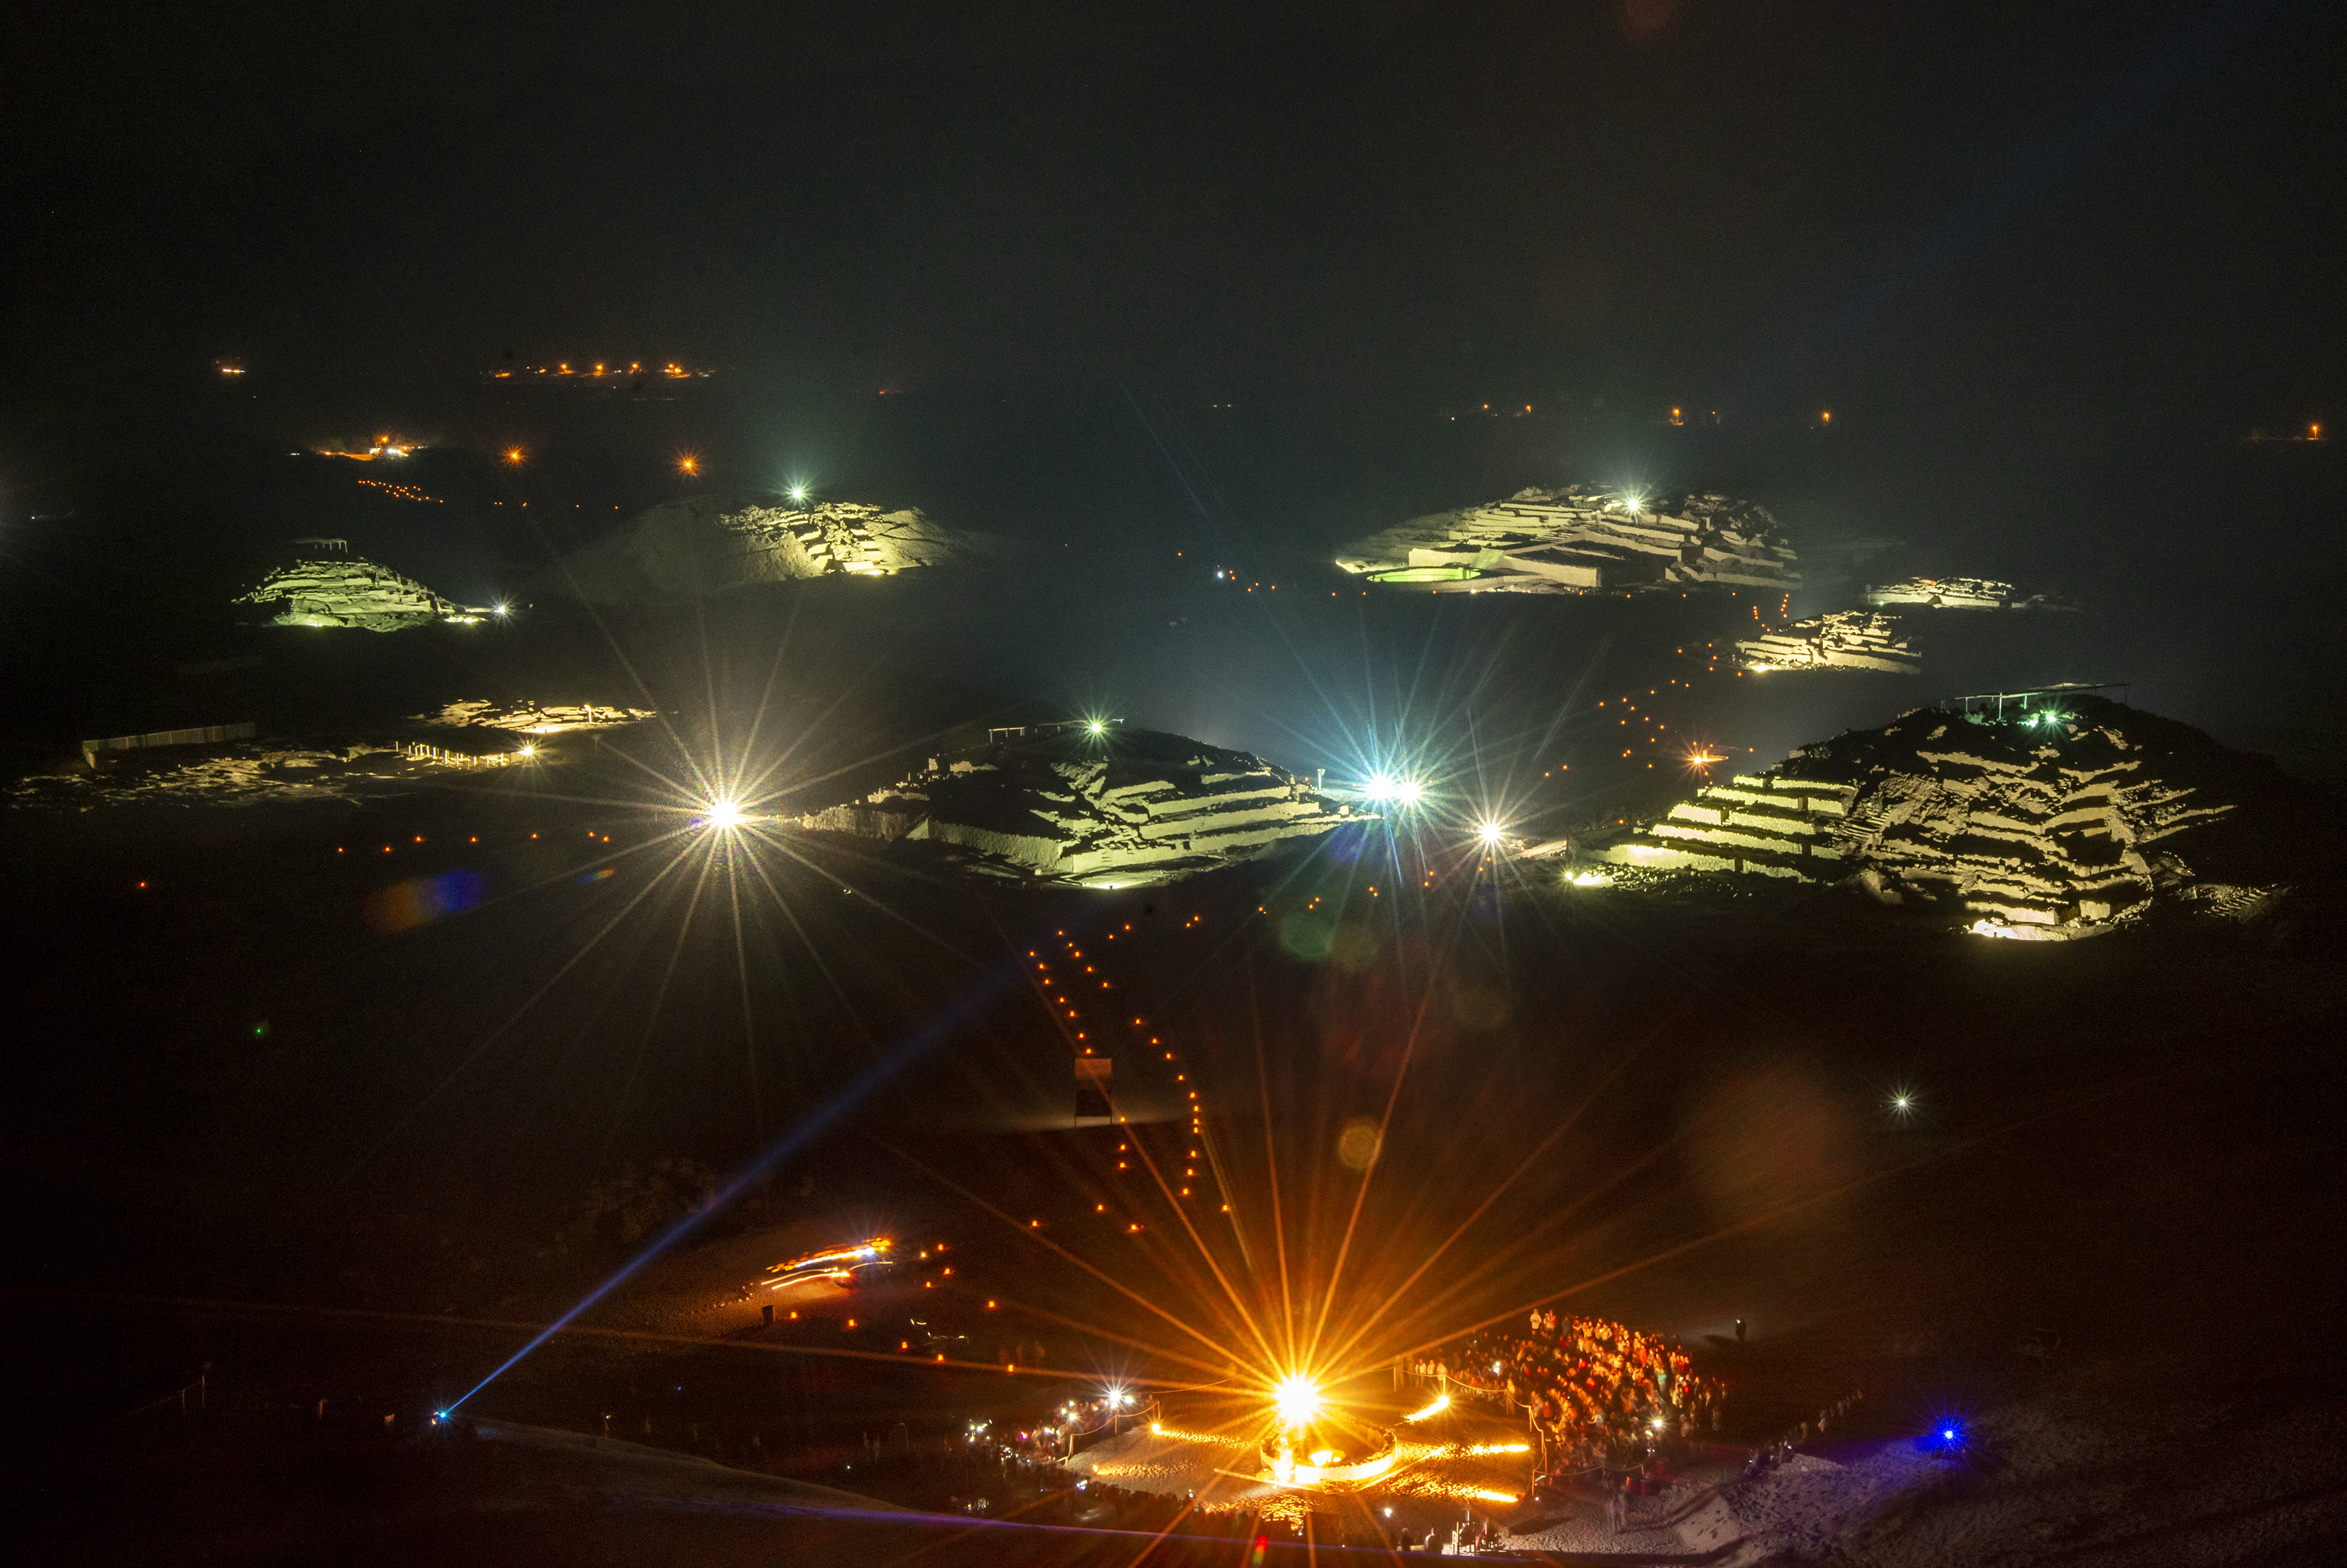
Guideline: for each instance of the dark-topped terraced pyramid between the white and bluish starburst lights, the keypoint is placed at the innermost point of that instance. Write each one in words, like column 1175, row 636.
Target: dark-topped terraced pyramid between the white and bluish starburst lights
column 1093, row 806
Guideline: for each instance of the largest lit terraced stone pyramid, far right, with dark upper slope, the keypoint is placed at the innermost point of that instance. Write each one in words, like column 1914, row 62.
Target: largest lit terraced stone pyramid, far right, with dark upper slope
column 2052, row 825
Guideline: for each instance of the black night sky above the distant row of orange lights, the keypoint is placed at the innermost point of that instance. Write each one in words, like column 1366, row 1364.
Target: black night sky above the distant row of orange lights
column 1750, row 205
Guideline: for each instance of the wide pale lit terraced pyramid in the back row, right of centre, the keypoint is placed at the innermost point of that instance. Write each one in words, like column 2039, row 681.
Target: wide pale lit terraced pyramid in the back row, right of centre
column 1581, row 541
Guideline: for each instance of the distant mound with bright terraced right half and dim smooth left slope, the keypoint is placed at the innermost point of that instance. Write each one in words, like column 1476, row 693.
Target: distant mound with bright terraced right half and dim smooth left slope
column 715, row 543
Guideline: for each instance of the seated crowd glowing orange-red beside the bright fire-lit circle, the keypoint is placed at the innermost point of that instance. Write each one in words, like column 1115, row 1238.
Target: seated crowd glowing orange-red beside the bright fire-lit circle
column 1590, row 1388
